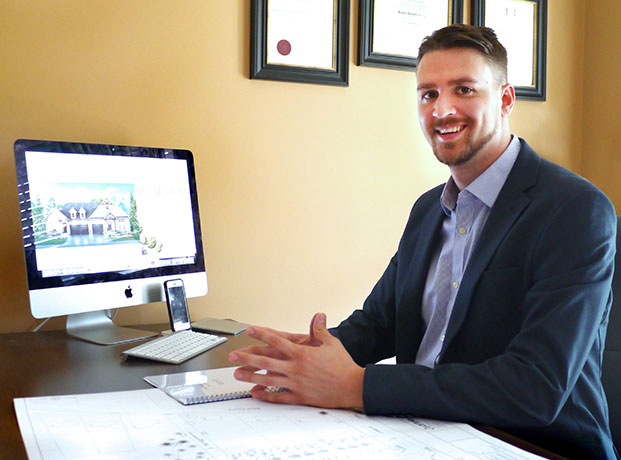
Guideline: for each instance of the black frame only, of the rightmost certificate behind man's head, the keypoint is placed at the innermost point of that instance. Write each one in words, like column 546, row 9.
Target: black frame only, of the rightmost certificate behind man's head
column 537, row 90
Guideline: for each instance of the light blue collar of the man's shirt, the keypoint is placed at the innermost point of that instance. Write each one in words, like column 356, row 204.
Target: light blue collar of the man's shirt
column 487, row 186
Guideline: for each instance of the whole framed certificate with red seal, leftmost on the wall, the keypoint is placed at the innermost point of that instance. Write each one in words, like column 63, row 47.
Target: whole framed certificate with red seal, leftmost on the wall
column 304, row 41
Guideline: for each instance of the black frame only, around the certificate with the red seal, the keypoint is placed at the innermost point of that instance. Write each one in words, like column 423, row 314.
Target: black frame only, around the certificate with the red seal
column 261, row 69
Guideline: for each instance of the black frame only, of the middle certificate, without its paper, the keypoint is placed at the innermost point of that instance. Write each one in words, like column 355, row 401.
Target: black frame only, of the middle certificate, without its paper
column 366, row 55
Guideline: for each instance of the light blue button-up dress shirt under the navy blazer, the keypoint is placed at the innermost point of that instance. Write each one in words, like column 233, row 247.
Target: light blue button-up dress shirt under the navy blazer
column 466, row 214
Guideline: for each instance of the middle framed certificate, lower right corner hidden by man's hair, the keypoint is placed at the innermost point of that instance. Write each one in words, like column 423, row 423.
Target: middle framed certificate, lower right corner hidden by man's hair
column 390, row 31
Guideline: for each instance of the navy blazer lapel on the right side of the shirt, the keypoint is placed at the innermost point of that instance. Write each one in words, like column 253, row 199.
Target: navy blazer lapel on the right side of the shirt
column 509, row 205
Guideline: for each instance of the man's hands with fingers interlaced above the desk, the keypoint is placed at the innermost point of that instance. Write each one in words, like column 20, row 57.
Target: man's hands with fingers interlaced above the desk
column 315, row 368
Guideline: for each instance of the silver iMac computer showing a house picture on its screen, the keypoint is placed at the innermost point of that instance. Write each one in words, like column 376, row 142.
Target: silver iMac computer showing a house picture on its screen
column 103, row 227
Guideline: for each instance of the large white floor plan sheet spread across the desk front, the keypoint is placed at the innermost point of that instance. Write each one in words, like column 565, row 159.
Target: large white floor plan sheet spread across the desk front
column 147, row 424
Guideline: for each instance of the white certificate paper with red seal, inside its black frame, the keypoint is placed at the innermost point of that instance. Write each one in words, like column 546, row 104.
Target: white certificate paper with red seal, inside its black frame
column 301, row 33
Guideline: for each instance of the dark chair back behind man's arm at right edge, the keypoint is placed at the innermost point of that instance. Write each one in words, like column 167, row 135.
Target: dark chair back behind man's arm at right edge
column 611, row 373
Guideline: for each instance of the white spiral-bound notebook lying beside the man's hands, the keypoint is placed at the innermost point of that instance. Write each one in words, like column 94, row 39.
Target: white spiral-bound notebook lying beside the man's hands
column 196, row 387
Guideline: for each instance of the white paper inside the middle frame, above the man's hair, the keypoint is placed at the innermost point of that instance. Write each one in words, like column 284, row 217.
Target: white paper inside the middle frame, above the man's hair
column 399, row 26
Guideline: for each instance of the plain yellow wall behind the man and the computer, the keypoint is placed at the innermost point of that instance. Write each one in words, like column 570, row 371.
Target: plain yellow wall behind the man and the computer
column 304, row 189
